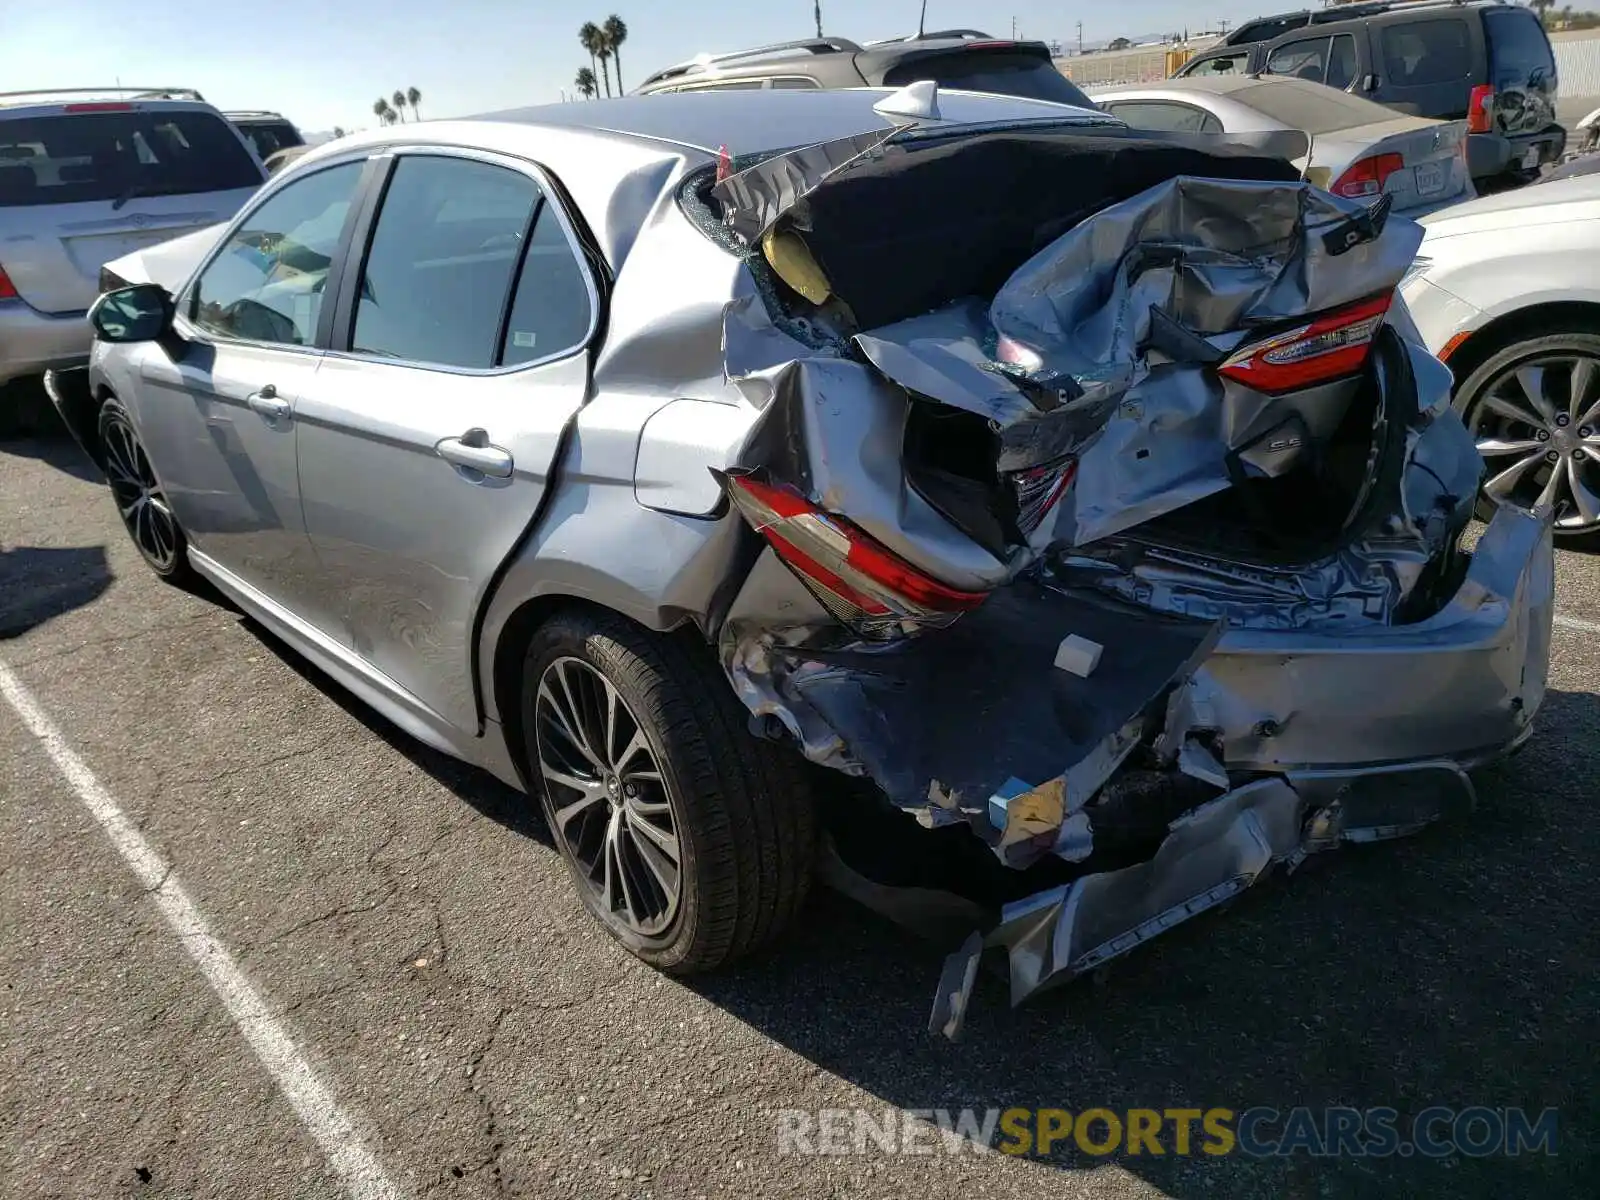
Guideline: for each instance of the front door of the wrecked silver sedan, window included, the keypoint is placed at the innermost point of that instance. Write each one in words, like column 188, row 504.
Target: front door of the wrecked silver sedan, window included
column 220, row 406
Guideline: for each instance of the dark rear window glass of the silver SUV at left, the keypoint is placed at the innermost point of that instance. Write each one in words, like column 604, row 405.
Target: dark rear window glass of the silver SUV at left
column 119, row 156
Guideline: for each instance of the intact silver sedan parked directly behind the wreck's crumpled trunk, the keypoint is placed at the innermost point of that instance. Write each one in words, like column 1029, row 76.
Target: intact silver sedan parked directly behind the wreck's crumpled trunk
column 1358, row 150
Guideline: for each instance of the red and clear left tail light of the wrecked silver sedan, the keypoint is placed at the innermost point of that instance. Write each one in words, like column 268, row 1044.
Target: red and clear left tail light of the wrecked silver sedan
column 862, row 583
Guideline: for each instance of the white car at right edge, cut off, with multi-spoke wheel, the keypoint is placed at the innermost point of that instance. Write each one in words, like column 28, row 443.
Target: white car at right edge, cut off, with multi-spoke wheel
column 1506, row 290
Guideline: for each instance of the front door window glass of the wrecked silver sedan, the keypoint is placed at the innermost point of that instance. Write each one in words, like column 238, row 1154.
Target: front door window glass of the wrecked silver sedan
column 268, row 284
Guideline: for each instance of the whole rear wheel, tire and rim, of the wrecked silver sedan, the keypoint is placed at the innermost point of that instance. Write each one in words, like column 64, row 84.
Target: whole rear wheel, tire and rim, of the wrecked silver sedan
column 690, row 841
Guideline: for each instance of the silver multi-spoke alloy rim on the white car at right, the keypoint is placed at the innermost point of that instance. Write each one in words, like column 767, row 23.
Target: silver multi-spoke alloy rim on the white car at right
column 1538, row 428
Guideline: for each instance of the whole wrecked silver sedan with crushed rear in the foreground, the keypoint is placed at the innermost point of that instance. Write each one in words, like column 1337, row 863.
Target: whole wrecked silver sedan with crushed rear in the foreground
column 1081, row 503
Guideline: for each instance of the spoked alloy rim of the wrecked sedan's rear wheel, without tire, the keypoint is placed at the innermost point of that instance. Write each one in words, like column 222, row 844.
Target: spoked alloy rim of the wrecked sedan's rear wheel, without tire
column 607, row 798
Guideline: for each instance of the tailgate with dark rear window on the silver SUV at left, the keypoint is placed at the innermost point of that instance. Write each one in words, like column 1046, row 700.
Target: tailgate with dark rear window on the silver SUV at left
column 87, row 183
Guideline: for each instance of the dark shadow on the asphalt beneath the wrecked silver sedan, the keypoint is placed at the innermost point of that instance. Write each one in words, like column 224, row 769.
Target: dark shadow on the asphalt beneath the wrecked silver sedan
column 1450, row 969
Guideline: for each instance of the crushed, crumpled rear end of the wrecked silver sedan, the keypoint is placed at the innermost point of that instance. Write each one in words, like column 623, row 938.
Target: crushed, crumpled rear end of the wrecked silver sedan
column 1110, row 522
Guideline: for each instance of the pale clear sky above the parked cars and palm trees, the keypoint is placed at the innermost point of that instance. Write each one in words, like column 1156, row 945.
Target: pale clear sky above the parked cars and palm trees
column 324, row 63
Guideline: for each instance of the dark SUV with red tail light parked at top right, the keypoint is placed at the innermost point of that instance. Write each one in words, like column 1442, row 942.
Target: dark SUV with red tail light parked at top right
column 1481, row 62
